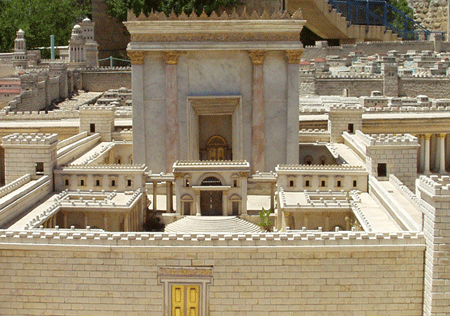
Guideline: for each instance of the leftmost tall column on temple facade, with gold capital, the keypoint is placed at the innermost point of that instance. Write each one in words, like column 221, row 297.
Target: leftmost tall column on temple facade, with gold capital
column 137, row 82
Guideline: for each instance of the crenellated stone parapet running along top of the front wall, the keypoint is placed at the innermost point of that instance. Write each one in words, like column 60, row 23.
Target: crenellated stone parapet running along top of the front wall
column 295, row 239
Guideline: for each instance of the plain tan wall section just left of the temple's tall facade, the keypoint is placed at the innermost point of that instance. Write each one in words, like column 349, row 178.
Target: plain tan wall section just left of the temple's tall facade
column 96, row 80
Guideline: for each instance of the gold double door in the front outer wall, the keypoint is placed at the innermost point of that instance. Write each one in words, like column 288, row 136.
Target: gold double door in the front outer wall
column 185, row 300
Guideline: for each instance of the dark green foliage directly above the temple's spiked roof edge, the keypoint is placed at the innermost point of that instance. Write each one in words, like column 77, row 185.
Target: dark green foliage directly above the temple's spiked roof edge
column 119, row 8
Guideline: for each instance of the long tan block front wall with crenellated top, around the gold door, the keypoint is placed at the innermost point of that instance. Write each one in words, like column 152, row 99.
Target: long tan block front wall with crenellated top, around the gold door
column 269, row 274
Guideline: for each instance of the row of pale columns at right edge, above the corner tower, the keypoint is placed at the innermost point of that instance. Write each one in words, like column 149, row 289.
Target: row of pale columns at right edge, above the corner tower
column 432, row 153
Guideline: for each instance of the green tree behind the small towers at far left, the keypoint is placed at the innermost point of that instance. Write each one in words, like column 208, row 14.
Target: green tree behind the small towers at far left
column 40, row 19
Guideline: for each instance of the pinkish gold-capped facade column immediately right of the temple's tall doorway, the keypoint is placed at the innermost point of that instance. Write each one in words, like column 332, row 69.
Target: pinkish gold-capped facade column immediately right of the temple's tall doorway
column 258, row 112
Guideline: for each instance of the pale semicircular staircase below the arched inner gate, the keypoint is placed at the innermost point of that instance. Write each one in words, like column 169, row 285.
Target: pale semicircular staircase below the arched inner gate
column 212, row 224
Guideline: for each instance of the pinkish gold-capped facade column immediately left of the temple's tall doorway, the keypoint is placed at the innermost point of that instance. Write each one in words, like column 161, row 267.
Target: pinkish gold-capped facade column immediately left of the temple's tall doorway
column 172, row 137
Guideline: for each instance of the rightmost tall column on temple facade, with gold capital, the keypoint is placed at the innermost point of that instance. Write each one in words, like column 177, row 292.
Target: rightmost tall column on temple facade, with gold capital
column 292, row 149
